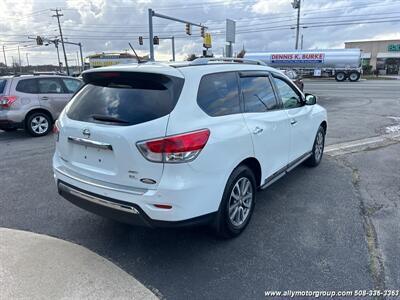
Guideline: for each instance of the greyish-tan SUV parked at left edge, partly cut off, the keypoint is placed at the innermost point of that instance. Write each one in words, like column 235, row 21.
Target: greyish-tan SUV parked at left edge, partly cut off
column 33, row 102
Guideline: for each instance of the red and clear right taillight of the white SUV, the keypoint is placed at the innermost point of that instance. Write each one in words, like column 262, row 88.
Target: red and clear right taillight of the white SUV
column 176, row 148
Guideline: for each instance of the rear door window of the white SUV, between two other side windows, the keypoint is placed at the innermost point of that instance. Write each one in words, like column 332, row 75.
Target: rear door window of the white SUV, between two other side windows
column 258, row 94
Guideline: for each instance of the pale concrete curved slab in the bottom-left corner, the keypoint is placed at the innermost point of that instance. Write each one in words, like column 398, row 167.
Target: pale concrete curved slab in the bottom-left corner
column 35, row 266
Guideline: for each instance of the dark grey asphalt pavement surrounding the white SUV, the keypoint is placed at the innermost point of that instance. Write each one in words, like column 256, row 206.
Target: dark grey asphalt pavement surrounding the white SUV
column 335, row 227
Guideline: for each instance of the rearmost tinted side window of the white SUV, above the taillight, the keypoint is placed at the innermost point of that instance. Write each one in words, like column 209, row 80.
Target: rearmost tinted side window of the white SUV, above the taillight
column 218, row 94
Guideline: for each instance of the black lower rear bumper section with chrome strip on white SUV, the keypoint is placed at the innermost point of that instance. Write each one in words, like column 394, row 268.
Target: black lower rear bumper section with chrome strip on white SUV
column 119, row 210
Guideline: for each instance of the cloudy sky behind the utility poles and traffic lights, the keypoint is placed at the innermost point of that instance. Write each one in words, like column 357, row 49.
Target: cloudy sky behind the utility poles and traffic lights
column 108, row 25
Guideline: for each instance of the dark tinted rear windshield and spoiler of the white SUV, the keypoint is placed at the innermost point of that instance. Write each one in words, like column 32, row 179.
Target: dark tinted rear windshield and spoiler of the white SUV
column 125, row 98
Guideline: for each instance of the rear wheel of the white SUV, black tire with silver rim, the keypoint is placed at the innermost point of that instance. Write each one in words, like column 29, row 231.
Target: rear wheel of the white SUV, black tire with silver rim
column 241, row 180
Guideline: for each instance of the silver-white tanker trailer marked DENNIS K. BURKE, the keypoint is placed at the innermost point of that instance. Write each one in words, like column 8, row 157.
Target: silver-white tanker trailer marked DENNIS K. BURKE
column 341, row 63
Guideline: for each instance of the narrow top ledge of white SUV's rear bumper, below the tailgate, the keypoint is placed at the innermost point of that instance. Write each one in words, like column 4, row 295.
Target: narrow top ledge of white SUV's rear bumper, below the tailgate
column 100, row 184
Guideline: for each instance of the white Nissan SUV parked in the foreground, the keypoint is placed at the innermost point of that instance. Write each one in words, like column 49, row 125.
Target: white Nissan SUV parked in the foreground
column 180, row 144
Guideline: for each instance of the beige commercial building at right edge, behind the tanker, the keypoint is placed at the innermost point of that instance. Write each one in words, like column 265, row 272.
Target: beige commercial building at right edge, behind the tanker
column 380, row 55
